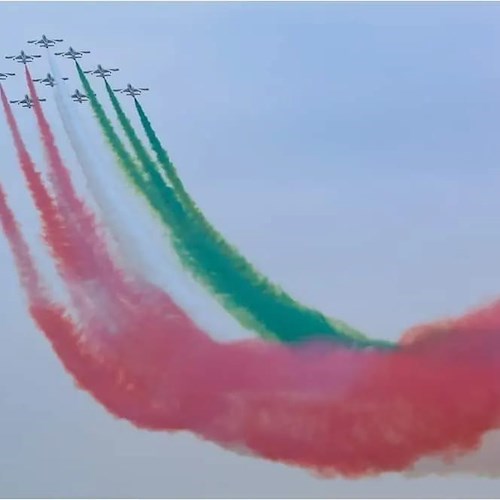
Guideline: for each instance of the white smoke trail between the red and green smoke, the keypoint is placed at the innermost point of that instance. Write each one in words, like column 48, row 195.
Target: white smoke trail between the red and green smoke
column 140, row 240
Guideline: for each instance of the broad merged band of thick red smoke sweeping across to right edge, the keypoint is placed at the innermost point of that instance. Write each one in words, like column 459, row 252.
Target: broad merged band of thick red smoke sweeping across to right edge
column 317, row 406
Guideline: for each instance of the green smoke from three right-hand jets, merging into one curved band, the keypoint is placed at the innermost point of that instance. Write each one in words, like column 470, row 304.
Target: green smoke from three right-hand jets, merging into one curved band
column 247, row 295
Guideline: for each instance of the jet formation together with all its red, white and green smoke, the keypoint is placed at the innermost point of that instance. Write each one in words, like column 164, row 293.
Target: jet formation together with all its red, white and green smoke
column 307, row 390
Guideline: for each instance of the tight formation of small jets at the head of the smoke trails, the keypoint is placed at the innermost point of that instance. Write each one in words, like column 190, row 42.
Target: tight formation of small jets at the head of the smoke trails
column 50, row 81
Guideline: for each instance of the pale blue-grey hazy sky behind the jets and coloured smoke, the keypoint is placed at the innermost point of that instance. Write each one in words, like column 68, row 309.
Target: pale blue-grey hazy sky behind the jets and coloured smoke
column 350, row 151
